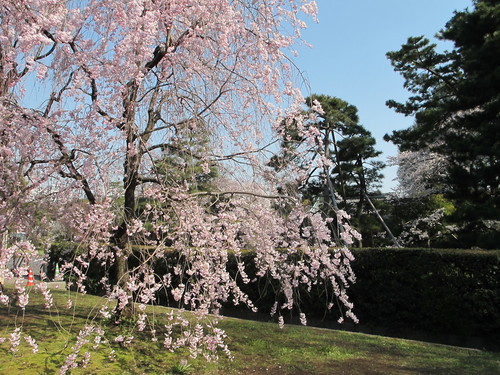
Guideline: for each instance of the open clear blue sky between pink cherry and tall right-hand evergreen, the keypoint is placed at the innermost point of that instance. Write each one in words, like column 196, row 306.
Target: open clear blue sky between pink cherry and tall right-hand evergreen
column 348, row 56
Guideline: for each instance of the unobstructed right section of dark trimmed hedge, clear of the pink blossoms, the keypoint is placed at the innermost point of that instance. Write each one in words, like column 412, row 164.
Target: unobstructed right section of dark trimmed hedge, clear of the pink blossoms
column 447, row 292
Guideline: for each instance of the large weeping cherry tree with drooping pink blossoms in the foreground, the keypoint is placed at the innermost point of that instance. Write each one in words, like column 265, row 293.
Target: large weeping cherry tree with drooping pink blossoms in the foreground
column 94, row 92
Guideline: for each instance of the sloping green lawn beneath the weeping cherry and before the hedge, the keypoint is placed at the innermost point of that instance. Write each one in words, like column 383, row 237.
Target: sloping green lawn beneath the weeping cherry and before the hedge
column 258, row 348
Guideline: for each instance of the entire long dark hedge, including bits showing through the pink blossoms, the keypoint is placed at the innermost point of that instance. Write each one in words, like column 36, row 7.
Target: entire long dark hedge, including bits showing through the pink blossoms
column 453, row 293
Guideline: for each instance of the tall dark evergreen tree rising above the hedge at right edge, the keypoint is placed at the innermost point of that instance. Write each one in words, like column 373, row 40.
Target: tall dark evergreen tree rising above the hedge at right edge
column 456, row 104
